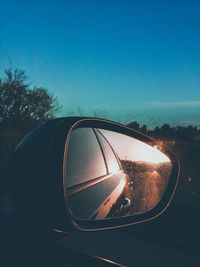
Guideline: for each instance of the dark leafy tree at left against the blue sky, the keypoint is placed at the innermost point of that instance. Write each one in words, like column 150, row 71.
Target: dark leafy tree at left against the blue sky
column 20, row 105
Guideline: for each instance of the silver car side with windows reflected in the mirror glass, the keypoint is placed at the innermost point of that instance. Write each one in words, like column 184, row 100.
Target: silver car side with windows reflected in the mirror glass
column 93, row 191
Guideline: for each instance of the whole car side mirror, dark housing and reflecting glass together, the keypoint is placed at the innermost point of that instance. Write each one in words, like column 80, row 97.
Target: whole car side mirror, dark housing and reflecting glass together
column 91, row 174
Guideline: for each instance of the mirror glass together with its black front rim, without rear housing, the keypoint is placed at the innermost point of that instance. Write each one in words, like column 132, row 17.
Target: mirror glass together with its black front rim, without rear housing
column 115, row 176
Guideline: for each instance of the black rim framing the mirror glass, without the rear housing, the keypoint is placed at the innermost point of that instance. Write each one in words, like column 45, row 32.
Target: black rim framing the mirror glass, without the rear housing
column 126, row 220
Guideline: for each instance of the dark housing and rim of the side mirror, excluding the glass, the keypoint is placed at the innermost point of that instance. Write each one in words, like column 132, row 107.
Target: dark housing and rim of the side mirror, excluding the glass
column 38, row 171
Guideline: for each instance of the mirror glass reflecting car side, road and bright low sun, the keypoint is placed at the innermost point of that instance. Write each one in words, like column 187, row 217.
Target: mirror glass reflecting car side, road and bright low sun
column 109, row 174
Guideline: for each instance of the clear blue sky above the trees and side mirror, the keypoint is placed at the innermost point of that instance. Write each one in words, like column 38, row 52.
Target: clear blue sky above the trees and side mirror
column 131, row 60
